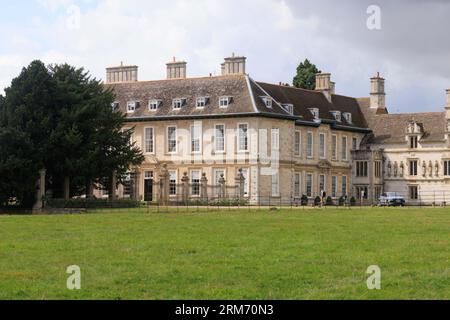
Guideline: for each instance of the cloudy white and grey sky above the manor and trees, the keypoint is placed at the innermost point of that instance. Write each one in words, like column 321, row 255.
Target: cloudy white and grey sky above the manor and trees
column 406, row 40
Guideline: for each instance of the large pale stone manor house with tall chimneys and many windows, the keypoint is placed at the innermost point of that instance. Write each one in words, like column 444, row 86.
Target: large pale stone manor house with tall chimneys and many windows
column 275, row 142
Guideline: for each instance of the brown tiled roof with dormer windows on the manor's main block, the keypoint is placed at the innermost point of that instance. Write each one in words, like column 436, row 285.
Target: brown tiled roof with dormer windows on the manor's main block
column 246, row 100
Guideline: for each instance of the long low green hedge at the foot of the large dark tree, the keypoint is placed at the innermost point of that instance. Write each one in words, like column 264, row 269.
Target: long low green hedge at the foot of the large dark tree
column 91, row 204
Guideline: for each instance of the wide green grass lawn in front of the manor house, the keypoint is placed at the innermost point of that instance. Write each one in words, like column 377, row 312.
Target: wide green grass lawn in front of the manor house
column 290, row 254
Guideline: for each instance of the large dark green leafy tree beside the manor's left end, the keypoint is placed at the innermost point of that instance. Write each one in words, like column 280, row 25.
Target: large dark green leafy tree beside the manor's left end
column 66, row 126
